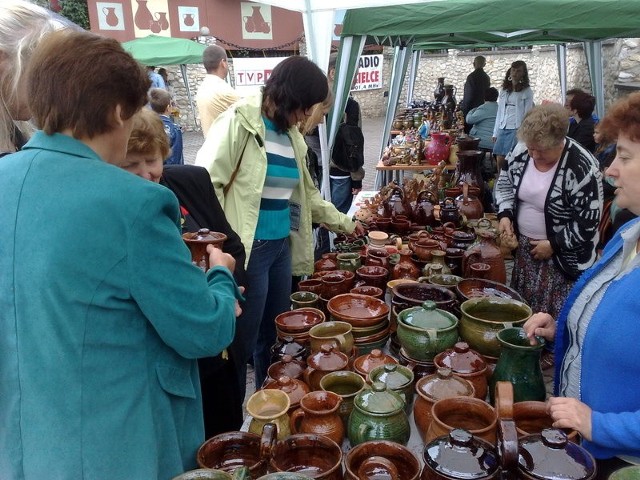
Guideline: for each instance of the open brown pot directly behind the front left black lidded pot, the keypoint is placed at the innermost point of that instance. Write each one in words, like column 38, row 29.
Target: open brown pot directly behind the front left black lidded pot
column 468, row 413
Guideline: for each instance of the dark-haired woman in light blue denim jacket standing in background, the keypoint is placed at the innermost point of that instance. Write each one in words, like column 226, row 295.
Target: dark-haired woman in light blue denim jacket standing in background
column 514, row 101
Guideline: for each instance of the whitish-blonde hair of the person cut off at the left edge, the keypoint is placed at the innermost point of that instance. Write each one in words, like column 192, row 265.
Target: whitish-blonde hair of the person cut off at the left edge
column 22, row 26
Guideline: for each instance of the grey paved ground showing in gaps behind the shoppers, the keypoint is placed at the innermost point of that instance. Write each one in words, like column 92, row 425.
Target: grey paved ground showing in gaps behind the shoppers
column 371, row 128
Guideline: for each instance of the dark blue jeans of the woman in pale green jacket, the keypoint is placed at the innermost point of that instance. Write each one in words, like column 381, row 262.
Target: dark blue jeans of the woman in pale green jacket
column 267, row 295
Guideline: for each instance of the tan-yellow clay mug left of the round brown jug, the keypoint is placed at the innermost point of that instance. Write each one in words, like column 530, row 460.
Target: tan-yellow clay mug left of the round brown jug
column 269, row 406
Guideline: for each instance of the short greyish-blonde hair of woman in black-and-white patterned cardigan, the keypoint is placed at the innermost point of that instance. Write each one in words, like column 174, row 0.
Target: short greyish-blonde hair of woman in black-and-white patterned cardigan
column 545, row 125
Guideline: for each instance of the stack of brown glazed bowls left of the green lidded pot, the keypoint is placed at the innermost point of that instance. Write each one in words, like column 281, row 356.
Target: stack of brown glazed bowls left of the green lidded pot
column 368, row 316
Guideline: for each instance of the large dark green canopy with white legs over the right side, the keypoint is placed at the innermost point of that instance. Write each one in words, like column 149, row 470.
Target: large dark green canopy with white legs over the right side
column 474, row 23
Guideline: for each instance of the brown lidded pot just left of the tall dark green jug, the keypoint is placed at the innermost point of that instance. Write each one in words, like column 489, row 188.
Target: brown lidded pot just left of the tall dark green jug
column 467, row 364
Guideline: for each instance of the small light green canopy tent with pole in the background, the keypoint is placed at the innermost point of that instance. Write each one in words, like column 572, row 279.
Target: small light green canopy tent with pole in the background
column 157, row 50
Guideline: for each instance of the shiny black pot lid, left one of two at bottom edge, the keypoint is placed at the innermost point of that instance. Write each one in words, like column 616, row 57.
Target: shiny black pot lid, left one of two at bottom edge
column 461, row 455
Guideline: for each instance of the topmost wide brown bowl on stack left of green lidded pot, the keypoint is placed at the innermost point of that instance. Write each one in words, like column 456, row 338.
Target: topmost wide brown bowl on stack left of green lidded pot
column 358, row 310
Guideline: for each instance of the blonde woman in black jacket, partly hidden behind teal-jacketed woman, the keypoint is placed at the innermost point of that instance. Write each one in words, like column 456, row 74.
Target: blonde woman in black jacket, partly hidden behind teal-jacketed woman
column 148, row 146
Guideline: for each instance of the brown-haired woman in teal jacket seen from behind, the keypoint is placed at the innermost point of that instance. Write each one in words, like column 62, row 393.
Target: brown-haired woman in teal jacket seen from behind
column 102, row 314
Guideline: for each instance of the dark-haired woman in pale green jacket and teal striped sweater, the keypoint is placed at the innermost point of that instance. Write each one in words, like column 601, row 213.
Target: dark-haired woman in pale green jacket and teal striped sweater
column 256, row 157
